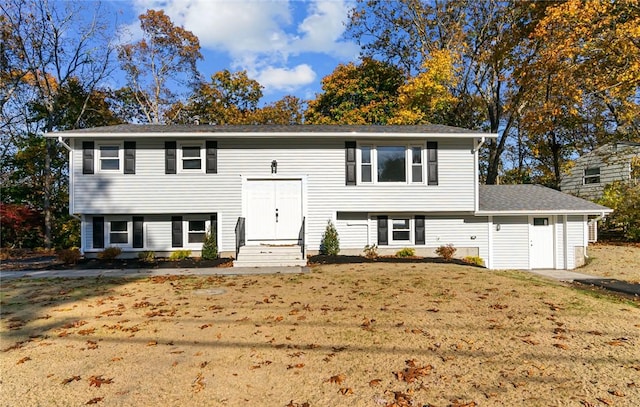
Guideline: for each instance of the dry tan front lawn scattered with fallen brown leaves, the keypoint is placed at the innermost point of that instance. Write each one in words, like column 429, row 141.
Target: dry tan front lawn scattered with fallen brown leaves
column 363, row 335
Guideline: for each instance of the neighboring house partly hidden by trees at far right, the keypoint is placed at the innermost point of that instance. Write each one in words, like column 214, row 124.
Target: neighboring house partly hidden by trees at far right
column 602, row 166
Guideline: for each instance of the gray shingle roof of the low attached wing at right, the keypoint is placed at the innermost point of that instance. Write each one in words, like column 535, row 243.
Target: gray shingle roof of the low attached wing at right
column 533, row 198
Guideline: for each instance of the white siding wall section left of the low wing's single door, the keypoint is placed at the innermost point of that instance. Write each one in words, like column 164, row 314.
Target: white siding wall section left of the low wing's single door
column 510, row 242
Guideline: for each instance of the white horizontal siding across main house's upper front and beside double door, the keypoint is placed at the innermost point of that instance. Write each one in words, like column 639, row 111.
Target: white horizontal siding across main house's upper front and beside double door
column 321, row 162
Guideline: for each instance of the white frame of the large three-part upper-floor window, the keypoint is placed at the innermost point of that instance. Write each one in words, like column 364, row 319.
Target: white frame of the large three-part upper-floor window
column 408, row 150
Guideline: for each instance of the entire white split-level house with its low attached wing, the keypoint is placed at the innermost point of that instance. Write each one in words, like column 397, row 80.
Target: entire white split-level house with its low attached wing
column 262, row 189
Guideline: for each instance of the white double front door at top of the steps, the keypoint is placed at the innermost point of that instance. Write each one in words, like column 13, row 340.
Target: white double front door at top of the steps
column 274, row 210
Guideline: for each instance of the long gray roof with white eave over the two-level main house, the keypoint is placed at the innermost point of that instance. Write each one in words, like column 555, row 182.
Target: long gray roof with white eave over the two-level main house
column 271, row 130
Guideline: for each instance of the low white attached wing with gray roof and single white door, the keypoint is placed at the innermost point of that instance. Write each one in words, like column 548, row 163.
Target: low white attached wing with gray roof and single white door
column 534, row 227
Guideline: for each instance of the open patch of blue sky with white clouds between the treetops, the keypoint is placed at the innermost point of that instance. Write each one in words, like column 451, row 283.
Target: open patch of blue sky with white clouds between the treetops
column 288, row 46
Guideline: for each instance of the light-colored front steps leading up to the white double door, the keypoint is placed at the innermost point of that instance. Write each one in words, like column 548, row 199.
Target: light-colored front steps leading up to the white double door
column 270, row 256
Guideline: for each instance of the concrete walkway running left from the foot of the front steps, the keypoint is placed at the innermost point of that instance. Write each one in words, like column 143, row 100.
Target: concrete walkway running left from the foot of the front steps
column 141, row 273
